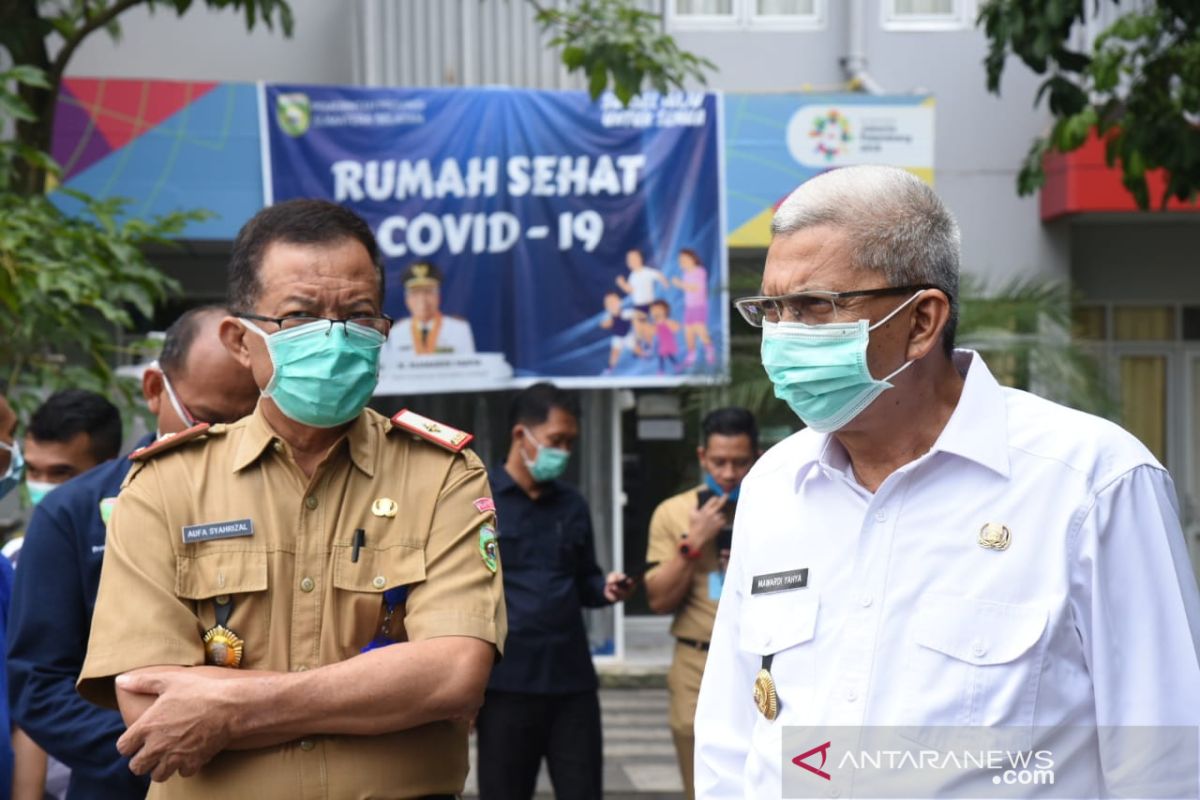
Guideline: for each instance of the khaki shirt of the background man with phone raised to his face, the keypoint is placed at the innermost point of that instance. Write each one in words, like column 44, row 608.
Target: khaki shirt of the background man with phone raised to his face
column 695, row 616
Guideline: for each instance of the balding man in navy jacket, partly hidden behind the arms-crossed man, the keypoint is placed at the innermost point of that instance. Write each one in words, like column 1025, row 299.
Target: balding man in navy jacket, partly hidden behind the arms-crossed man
column 195, row 381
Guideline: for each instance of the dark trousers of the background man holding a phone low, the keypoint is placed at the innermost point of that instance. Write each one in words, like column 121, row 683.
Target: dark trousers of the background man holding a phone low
column 517, row 731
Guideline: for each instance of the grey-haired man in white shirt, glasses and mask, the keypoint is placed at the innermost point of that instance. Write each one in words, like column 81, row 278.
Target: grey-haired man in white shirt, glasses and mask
column 935, row 550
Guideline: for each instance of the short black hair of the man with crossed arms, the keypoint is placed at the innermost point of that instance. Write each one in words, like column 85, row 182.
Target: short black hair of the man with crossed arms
column 292, row 222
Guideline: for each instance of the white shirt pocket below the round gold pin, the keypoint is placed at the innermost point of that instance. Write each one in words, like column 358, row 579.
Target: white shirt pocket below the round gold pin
column 974, row 663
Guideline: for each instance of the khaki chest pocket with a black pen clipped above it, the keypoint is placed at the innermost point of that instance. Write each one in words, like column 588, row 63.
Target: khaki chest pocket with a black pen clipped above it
column 359, row 590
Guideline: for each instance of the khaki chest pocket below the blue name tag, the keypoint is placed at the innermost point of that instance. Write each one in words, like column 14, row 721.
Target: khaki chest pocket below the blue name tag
column 230, row 578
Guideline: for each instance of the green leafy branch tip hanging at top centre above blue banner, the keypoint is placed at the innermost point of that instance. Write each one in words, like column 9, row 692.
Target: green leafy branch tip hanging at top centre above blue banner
column 620, row 46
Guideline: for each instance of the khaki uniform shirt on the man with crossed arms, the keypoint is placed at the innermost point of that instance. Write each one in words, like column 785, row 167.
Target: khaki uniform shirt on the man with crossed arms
column 299, row 600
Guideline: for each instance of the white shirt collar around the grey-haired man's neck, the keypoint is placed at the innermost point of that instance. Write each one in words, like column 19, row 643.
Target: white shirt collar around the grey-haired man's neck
column 976, row 431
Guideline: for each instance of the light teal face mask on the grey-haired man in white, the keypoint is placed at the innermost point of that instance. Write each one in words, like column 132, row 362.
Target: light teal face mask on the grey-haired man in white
column 820, row 371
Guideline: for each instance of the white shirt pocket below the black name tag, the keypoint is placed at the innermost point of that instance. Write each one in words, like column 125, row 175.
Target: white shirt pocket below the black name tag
column 783, row 627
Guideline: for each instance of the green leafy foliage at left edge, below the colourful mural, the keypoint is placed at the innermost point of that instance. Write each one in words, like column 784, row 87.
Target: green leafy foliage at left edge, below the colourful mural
column 69, row 284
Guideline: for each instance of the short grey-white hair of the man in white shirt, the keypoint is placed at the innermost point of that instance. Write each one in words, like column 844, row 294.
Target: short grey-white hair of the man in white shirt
column 896, row 224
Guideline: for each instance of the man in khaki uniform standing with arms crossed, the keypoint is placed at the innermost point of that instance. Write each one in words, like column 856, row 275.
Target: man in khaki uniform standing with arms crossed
column 305, row 604
